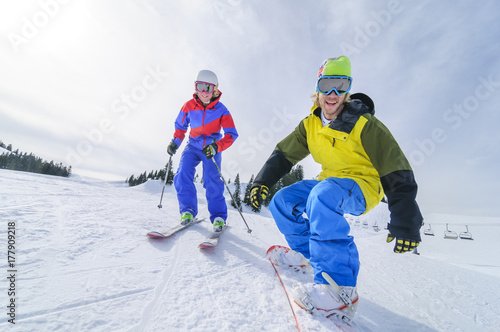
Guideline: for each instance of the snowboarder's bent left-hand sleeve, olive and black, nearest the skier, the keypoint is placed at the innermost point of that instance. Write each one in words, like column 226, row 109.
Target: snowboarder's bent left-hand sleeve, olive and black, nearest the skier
column 287, row 153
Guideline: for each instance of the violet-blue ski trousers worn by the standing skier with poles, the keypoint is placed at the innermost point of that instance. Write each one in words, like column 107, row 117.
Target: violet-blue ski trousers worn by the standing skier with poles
column 212, row 182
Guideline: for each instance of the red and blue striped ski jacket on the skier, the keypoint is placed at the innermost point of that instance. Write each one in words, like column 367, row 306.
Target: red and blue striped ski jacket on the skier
column 206, row 123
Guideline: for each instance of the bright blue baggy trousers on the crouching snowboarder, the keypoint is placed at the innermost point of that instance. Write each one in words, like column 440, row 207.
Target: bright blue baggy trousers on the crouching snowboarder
column 322, row 233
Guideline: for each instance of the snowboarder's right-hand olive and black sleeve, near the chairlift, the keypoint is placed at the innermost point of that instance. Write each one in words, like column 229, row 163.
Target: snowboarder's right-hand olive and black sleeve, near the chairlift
column 397, row 178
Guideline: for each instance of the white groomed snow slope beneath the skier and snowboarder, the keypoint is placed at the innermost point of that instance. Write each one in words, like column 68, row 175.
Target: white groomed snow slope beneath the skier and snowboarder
column 84, row 263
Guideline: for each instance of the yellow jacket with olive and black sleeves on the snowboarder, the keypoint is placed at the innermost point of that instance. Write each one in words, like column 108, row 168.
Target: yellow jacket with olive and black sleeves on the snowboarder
column 356, row 145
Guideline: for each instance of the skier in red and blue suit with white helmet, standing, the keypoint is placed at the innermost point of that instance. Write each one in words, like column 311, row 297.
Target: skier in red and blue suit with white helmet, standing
column 206, row 116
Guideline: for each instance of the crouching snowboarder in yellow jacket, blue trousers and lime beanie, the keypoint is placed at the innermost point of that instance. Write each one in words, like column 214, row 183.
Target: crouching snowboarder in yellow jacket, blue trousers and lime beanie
column 361, row 162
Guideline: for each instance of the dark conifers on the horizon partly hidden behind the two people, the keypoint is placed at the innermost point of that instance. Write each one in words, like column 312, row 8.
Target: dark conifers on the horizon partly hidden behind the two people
column 295, row 175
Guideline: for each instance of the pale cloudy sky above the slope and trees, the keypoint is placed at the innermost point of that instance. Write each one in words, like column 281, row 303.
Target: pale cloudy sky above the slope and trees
column 97, row 84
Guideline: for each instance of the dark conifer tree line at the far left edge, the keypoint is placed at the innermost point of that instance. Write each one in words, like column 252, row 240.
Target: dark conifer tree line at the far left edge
column 19, row 161
